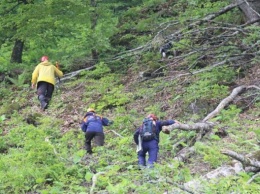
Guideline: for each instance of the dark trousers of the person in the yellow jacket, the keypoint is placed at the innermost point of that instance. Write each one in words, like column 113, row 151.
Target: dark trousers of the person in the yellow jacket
column 45, row 91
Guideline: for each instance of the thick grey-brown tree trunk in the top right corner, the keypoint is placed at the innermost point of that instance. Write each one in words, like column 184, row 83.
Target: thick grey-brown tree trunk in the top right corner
column 251, row 10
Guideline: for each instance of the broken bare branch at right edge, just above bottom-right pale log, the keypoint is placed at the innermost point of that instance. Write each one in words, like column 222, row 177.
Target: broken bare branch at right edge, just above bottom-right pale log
column 243, row 159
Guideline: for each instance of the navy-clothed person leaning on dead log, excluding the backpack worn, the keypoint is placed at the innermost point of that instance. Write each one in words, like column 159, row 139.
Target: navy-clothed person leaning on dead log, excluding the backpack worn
column 152, row 146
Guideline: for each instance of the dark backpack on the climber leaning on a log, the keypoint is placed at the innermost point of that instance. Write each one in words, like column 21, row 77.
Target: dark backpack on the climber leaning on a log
column 148, row 130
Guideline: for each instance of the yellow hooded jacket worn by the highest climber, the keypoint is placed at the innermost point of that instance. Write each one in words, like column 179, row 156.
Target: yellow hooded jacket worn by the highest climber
column 45, row 71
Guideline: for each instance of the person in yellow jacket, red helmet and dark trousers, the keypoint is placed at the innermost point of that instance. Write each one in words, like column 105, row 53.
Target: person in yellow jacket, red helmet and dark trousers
column 44, row 77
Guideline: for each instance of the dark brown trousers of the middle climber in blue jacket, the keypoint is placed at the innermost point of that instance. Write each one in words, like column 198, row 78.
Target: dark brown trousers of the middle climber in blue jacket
column 99, row 139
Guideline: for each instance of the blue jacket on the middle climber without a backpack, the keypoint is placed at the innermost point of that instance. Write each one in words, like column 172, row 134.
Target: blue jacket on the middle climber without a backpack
column 94, row 123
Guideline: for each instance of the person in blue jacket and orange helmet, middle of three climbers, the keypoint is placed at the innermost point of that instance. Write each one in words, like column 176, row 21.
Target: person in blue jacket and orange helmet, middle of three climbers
column 92, row 125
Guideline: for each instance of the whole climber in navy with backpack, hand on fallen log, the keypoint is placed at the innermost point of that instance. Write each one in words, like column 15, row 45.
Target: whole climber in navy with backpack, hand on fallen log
column 147, row 137
